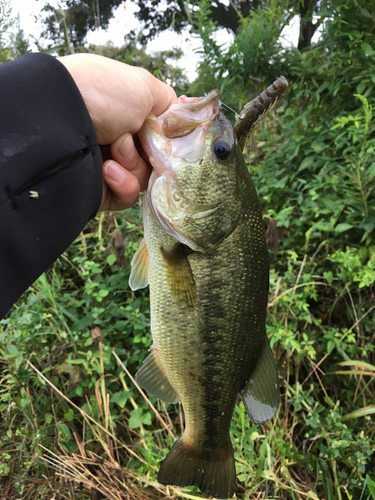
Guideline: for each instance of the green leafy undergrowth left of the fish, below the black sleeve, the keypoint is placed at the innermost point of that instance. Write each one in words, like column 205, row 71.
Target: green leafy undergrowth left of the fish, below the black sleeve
column 68, row 325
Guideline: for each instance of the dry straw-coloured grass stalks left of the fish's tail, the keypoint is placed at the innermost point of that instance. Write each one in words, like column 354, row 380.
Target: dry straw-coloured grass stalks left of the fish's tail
column 102, row 478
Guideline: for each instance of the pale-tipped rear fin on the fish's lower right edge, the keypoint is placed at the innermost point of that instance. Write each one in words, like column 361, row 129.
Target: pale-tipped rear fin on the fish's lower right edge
column 261, row 392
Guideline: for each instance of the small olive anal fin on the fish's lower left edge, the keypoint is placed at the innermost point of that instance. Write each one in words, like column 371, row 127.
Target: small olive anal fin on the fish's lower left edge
column 152, row 378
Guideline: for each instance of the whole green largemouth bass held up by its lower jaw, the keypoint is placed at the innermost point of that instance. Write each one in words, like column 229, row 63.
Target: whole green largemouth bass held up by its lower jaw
column 205, row 259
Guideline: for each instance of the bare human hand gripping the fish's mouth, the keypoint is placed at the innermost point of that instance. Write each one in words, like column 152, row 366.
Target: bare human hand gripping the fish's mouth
column 119, row 98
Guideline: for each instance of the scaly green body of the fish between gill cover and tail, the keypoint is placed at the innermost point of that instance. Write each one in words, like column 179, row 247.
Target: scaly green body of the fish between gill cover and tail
column 208, row 349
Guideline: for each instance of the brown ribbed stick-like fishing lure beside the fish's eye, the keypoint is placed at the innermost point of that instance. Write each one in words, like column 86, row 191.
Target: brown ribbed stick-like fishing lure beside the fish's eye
column 255, row 110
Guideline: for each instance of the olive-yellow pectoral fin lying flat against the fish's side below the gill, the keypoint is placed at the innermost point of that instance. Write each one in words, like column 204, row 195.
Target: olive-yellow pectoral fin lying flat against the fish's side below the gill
column 180, row 275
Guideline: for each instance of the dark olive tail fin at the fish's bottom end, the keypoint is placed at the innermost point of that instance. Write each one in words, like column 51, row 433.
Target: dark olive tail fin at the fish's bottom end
column 214, row 473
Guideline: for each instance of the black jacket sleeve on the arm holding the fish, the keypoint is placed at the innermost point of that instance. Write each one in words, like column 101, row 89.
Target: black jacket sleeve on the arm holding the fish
column 50, row 169
